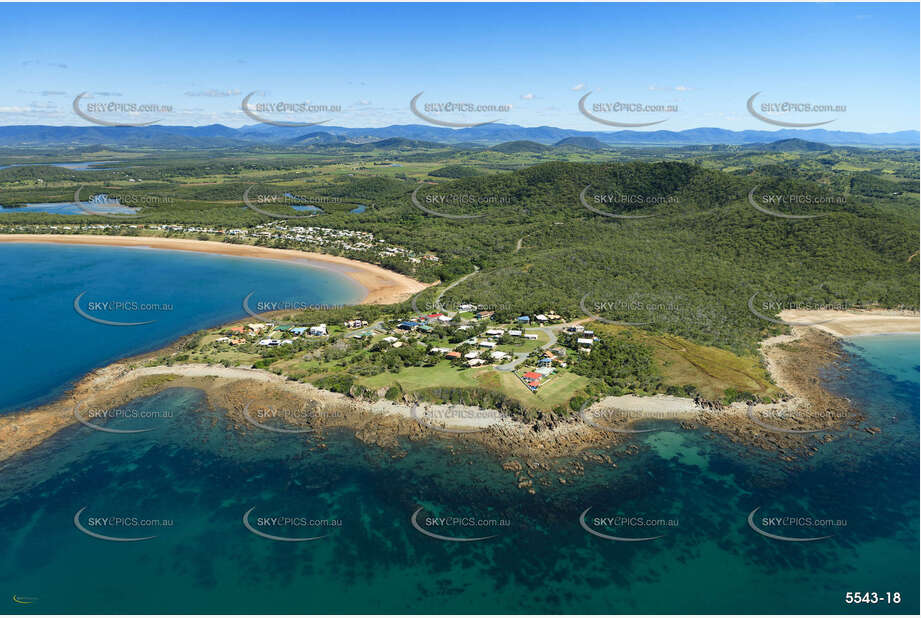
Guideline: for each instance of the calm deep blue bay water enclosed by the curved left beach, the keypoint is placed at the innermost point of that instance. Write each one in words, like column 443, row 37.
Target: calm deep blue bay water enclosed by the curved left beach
column 47, row 344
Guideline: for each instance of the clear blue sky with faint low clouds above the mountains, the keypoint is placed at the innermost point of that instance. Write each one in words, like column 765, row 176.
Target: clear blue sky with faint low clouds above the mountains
column 371, row 59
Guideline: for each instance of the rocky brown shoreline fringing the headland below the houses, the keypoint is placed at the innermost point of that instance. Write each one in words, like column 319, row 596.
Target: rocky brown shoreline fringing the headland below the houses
column 793, row 361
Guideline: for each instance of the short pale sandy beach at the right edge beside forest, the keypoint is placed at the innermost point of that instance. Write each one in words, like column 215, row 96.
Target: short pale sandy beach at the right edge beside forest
column 855, row 323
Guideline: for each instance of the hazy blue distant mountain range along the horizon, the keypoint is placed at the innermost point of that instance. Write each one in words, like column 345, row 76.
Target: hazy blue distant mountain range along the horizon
column 219, row 136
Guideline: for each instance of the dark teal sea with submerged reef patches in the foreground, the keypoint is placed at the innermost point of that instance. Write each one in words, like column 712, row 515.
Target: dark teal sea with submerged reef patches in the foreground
column 200, row 474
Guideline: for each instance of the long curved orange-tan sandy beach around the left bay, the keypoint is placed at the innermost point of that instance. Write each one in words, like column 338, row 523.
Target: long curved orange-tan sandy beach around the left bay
column 383, row 286
